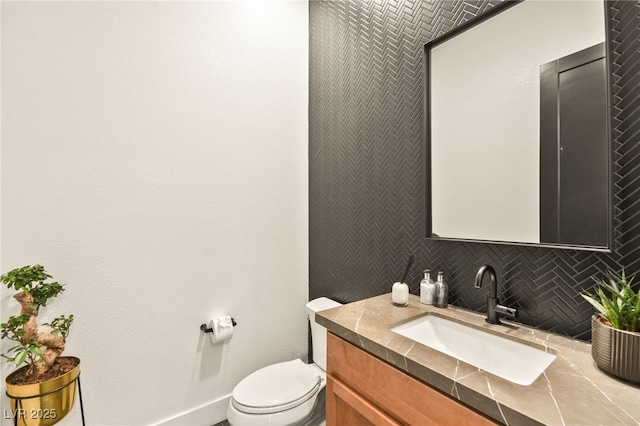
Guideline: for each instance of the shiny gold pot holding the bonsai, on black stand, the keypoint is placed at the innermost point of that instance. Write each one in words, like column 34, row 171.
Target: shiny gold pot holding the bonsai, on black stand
column 45, row 403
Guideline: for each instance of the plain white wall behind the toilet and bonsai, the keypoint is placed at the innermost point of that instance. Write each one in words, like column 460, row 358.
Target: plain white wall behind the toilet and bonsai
column 154, row 159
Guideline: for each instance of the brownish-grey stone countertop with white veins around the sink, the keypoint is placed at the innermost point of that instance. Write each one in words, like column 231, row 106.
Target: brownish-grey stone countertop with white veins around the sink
column 571, row 391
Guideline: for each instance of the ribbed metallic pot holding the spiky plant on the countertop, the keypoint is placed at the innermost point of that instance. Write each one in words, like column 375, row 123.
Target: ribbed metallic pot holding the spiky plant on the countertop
column 616, row 352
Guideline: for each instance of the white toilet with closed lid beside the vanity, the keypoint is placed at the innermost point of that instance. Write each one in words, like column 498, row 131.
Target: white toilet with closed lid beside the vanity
column 285, row 393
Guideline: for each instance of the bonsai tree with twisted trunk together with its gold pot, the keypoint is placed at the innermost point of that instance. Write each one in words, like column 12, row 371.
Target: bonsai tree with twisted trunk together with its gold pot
column 42, row 390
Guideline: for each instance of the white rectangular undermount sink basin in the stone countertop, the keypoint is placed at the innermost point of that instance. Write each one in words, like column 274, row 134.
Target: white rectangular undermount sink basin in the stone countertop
column 513, row 361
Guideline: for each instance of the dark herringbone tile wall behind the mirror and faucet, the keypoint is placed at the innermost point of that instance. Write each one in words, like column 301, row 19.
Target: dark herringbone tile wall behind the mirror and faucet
column 367, row 173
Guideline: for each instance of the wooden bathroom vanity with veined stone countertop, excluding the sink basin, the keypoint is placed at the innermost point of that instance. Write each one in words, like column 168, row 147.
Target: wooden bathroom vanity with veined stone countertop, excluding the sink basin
column 377, row 376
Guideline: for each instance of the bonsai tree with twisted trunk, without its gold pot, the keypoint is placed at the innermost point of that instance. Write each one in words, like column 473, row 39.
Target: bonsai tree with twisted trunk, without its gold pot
column 39, row 350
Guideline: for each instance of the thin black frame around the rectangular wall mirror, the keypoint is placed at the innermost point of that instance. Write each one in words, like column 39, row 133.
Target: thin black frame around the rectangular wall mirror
column 427, row 130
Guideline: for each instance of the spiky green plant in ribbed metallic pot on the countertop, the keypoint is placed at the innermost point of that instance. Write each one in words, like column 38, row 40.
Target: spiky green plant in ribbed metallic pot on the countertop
column 615, row 331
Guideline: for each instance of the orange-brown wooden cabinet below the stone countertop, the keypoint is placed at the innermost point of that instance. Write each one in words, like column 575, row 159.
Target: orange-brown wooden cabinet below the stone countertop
column 363, row 390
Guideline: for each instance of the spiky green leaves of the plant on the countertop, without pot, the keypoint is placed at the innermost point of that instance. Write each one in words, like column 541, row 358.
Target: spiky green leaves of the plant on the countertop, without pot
column 616, row 301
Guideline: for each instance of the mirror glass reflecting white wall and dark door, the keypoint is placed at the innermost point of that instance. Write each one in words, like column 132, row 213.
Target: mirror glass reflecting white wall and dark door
column 518, row 132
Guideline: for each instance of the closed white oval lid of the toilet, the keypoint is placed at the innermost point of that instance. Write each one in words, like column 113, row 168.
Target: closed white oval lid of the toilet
column 275, row 388
